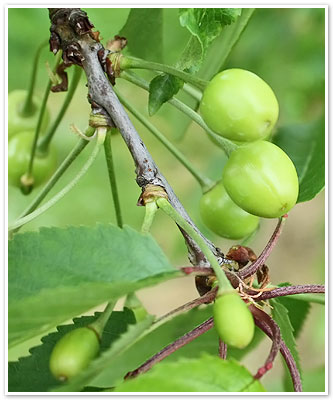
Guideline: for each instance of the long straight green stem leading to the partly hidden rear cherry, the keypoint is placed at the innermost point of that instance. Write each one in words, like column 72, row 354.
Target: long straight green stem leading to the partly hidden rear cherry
column 204, row 181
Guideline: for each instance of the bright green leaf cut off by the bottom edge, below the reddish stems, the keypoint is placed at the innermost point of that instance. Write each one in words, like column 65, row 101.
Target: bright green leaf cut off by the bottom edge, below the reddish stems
column 205, row 374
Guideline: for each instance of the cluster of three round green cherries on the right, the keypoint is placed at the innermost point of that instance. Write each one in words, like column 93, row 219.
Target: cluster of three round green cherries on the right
column 259, row 179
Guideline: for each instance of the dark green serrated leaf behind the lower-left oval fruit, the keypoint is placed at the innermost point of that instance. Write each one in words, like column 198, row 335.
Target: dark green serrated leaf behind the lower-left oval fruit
column 32, row 374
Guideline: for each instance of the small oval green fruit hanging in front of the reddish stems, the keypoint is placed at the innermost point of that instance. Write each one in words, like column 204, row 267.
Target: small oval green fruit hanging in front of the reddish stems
column 233, row 320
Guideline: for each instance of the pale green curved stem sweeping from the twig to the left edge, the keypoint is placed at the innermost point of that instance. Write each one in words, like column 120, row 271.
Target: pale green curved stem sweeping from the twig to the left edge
column 24, row 220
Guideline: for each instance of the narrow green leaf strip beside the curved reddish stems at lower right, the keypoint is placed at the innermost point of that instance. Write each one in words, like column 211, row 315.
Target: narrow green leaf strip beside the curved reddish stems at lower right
column 281, row 316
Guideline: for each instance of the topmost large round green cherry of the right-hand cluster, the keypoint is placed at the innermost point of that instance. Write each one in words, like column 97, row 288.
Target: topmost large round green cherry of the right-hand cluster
column 239, row 105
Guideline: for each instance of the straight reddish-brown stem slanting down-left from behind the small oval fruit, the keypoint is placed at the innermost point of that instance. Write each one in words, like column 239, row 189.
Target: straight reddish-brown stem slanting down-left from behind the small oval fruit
column 171, row 348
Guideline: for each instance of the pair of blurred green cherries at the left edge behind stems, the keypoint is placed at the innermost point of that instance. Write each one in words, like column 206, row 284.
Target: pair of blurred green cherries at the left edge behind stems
column 23, row 115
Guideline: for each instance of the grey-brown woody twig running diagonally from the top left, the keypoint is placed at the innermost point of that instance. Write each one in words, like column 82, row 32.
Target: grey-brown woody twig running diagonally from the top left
column 71, row 31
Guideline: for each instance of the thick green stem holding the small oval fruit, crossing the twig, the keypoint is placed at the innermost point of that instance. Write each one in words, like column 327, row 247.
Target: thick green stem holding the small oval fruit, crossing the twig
column 223, row 282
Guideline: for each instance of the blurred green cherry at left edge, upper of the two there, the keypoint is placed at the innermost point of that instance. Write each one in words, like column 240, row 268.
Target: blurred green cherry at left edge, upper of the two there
column 18, row 122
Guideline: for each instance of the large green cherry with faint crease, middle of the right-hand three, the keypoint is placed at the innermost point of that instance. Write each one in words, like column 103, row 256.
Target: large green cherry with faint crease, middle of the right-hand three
column 260, row 178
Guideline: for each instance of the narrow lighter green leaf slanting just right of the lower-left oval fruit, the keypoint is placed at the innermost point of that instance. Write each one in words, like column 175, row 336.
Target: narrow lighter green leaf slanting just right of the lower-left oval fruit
column 98, row 365
